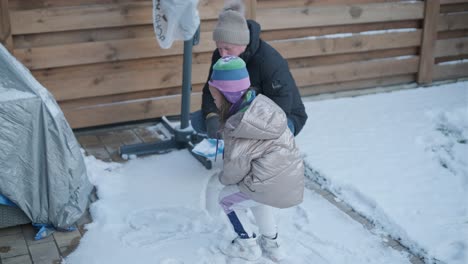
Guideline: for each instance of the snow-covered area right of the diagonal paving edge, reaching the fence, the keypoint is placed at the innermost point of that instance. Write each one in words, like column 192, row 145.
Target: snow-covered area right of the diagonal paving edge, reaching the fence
column 400, row 159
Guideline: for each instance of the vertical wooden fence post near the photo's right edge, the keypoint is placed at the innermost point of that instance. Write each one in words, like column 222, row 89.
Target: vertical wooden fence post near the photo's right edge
column 429, row 38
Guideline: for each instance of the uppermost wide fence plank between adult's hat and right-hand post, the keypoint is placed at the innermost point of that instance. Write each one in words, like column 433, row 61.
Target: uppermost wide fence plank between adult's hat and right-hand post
column 282, row 18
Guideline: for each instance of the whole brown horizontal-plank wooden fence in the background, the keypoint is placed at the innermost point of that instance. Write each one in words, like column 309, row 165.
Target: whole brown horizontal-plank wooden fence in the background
column 102, row 63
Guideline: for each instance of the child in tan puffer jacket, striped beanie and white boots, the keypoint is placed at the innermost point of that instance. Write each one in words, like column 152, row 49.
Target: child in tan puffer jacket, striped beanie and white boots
column 262, row 169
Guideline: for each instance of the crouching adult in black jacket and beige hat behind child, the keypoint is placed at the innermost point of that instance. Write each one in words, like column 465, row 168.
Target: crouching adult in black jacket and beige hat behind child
column 269, row 71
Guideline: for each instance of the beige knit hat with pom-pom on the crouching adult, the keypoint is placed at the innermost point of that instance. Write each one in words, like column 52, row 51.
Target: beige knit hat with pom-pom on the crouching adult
column 232, row 27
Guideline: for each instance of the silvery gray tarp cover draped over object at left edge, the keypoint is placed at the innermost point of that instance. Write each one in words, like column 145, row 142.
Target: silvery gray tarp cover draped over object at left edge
column 41, row 166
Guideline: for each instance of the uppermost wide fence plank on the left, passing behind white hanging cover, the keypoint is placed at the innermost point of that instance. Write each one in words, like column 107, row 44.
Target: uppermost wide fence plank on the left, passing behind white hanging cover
column 94, row 16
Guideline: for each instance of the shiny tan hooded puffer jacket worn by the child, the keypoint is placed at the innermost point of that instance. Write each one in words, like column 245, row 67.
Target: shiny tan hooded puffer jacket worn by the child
column 260, row 155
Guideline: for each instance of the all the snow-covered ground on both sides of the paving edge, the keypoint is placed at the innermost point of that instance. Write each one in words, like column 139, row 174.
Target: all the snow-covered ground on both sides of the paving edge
column 398, row 158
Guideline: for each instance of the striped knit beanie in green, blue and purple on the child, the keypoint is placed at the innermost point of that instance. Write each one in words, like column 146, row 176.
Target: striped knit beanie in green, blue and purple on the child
column 230, row 77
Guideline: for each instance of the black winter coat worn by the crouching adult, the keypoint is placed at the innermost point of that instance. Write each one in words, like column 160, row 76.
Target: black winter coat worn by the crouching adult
column 269, row 75
